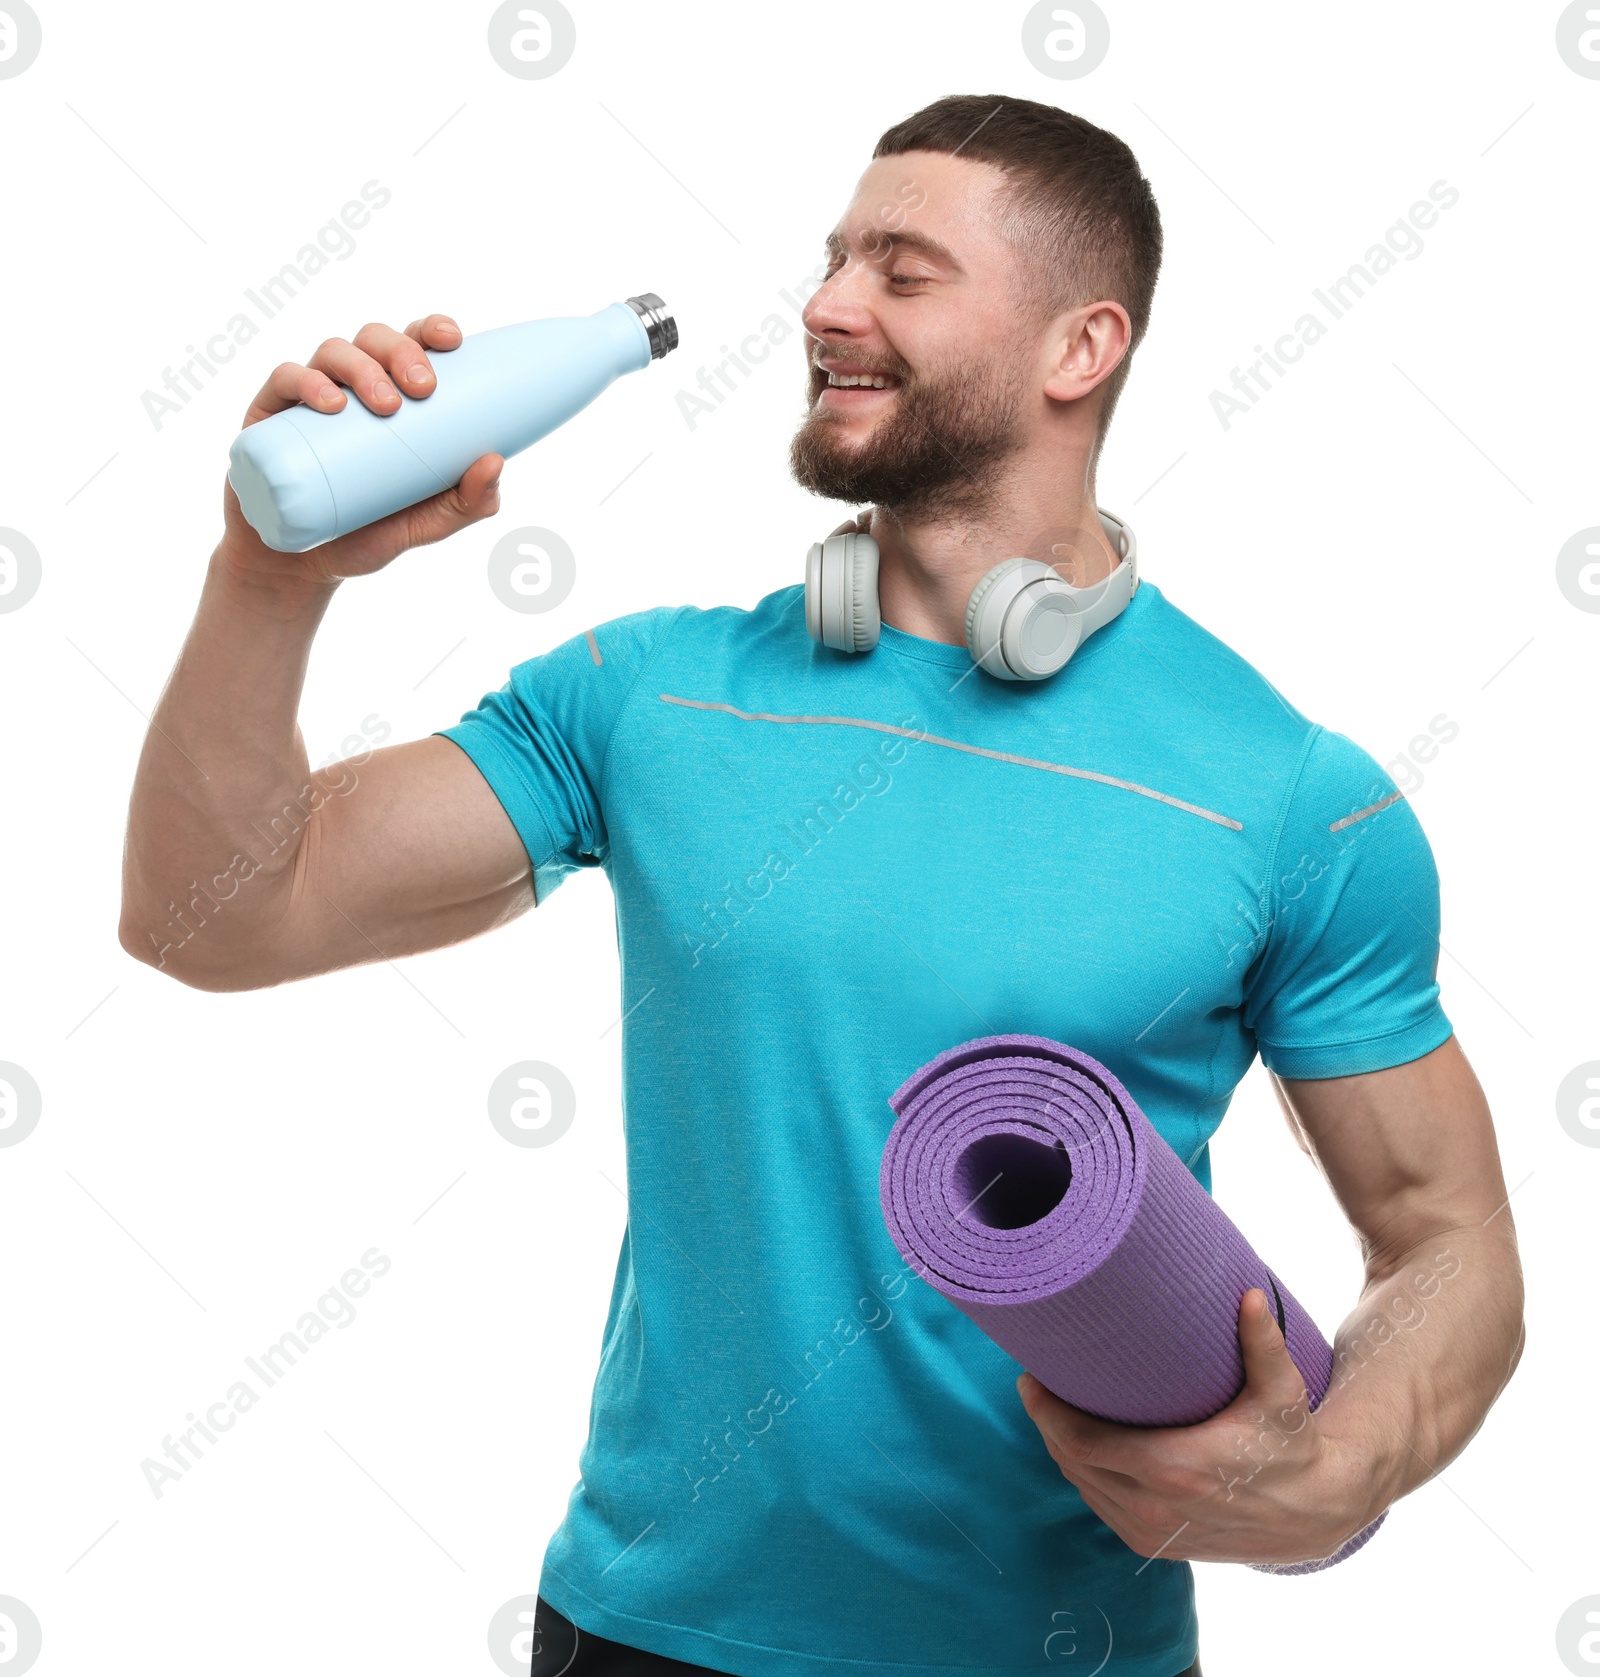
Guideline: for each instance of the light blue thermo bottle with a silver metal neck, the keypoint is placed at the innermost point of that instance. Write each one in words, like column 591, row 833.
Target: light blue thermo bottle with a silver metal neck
column 304, row 477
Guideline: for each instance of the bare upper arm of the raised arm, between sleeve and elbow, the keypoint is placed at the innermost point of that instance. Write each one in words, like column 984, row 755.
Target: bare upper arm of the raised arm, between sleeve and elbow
column 410, row 851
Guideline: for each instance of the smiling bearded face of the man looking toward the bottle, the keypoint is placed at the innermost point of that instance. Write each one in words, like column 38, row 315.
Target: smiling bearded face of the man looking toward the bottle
column 922, row 306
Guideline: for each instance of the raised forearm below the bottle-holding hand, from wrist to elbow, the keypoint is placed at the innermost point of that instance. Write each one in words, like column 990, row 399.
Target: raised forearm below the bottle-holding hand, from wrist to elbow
column 224, row 789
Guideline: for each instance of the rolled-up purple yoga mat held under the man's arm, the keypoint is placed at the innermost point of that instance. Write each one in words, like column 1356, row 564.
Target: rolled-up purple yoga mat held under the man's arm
column 1026, row 1185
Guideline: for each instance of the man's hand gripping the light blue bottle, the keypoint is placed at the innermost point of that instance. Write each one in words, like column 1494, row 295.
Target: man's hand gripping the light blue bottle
column 378, row 365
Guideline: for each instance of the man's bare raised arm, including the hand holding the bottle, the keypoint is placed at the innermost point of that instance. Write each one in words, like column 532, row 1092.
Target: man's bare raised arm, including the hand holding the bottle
column 244, row 866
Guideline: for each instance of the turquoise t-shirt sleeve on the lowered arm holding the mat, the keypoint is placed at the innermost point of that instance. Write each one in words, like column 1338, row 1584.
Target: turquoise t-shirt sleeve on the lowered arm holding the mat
column 1348, row 977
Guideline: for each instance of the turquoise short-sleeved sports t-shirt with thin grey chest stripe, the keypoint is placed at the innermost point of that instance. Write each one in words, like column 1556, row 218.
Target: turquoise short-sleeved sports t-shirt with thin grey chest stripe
column 828, row 868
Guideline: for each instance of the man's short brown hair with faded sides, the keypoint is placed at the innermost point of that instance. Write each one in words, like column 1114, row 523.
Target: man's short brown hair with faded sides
column 1081, row 209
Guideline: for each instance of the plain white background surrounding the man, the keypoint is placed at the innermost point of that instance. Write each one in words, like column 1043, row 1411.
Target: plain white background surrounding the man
column 1378, row 536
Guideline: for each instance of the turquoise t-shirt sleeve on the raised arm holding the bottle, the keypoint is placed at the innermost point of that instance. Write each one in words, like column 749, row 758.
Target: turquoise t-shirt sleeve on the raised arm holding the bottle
column 541, row 742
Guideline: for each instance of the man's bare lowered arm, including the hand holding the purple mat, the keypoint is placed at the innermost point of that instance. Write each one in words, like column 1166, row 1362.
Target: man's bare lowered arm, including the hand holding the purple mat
column 1435, row 1337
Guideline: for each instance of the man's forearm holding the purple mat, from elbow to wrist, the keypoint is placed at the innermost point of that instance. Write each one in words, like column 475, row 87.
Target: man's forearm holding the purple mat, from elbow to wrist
column 1425, row 1354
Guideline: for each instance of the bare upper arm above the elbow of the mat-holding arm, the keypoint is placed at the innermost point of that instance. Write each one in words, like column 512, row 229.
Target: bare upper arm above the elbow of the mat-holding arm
column 1408, row 1151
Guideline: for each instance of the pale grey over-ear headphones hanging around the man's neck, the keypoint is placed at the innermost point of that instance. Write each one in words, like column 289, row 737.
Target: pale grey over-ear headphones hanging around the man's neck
column 1022, row 620
